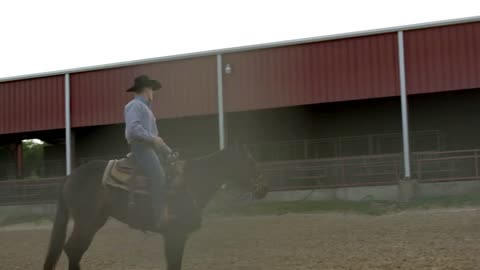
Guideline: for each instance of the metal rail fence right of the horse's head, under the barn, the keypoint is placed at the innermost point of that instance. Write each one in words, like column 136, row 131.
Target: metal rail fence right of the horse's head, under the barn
column 427, row 167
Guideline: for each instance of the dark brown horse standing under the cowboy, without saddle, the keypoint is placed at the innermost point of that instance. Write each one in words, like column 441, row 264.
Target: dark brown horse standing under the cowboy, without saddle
column 89, row 203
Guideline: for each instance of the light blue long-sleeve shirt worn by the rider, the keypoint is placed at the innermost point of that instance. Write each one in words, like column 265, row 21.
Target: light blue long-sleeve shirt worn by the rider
column 140, row 122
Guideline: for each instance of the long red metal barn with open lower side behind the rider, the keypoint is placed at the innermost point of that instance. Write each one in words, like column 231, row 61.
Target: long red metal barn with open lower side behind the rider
column 363, row 108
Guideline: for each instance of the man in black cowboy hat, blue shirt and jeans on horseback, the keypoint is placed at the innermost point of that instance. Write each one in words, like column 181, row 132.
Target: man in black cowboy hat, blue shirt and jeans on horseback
column 141, row 134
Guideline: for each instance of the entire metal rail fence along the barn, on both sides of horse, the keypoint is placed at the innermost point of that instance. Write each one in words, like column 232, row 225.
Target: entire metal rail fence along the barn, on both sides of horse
column 306, row 174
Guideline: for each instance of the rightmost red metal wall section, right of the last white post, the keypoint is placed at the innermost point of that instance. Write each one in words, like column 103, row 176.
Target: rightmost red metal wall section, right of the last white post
column 443, row 58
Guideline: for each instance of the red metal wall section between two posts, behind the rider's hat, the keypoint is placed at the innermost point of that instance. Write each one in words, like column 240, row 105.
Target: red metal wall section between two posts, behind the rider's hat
column 188, row 88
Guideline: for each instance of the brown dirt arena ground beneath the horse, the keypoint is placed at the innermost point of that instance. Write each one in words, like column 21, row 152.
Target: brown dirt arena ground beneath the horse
column 433, row 239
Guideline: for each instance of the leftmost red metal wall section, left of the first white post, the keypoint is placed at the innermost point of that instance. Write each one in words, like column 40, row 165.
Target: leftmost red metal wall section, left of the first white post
column 32, row 105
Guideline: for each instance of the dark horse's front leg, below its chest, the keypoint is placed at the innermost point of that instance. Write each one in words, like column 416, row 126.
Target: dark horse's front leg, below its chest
column 174, row 247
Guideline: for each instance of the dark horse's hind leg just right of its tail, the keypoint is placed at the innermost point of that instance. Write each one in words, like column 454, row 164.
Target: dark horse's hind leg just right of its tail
column 79, row 241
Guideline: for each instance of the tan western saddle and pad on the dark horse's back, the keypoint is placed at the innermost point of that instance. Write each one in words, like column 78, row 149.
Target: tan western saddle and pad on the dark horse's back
column 125, row 174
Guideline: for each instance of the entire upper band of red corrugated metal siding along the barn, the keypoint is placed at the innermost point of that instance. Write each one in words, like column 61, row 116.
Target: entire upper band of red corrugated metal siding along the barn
column 443, row 58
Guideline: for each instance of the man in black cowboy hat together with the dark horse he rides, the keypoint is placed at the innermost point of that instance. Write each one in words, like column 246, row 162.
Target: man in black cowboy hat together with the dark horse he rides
column 93, row 193
